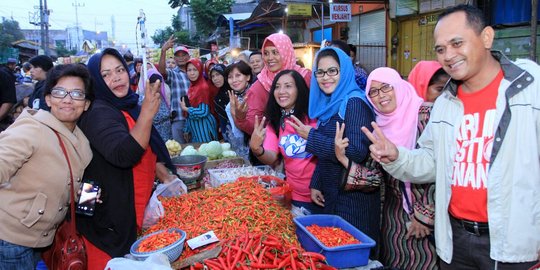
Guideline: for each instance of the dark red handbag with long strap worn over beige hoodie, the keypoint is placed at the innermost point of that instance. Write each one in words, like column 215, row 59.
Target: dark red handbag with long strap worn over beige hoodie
column 67, row 250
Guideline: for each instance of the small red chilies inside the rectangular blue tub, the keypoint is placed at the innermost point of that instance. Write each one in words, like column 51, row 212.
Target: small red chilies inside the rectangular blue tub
column 332, row 236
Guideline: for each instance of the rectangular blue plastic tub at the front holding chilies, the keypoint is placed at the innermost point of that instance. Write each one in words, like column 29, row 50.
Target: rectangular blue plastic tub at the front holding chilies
column 339, row 257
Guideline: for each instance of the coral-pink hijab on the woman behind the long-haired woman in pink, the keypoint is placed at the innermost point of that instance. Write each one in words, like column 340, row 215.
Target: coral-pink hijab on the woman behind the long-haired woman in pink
column 284, row 46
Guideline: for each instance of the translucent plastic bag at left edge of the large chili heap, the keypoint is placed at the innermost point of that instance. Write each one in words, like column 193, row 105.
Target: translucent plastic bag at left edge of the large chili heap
column 154, row 209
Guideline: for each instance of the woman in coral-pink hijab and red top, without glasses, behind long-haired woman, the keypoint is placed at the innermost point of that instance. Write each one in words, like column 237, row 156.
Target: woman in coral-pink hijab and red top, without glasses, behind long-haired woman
column 278, row 55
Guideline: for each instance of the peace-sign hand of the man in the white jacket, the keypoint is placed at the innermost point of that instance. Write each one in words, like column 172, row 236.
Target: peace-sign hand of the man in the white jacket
column 382, row 150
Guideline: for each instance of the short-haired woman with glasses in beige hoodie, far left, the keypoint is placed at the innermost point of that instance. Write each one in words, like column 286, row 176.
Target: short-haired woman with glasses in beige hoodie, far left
column 34, row 173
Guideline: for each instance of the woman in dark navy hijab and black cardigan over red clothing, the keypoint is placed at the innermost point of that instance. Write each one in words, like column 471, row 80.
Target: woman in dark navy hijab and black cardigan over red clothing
column 128, row 155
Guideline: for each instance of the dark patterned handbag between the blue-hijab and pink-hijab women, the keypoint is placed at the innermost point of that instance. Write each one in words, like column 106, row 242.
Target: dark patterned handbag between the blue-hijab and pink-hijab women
column 365, row 176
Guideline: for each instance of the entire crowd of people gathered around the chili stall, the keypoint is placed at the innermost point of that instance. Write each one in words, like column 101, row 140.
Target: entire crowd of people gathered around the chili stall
column 440, row 169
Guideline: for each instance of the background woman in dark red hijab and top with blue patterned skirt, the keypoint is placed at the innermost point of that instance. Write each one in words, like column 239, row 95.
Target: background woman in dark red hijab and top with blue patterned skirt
column 201, row 125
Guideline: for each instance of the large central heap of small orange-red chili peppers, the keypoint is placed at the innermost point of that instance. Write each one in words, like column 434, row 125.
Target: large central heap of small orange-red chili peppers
column 232, row 209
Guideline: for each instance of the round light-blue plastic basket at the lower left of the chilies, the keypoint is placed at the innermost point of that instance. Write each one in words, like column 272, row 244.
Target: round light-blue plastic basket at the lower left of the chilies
column 173, row 251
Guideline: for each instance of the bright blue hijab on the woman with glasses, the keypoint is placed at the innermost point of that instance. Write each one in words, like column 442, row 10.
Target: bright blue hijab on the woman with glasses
column 322, row 106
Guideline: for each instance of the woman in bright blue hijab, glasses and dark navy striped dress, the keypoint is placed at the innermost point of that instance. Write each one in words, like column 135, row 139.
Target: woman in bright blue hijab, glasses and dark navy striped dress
column 334, row 99
